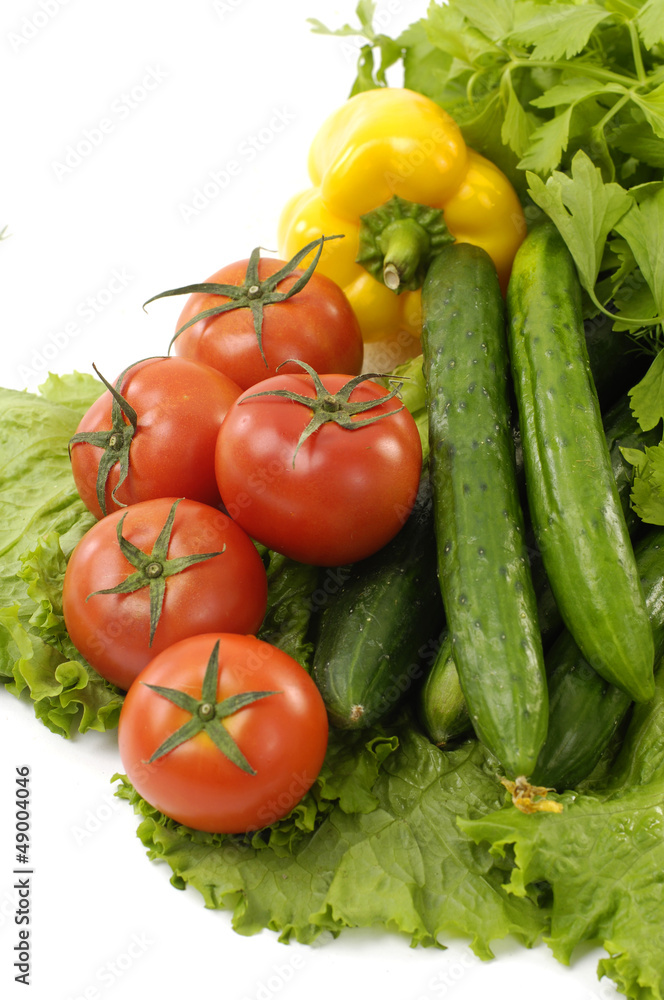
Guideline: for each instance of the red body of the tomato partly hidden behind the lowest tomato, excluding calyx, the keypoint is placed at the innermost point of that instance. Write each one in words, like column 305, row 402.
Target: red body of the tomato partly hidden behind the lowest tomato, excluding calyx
column 227, row 592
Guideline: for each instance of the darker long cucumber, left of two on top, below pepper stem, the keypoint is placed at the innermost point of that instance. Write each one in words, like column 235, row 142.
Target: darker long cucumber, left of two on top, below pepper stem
column 482, row 560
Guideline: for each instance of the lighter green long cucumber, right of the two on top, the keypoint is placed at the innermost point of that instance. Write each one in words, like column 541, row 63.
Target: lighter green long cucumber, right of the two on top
column 572, row 497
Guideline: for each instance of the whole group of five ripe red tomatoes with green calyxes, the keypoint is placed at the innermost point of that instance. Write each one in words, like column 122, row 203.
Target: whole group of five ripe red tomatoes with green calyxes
column 187, row 461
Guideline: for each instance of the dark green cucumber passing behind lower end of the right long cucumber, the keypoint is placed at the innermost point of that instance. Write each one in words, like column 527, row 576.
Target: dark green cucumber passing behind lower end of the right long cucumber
column 585, row 711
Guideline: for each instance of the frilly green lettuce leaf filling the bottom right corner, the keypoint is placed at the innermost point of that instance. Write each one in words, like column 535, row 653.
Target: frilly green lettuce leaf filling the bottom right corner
column 603, row 857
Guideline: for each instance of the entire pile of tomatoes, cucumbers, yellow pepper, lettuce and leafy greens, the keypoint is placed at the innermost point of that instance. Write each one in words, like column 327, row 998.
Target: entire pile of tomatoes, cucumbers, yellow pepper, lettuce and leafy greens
column 383, row 648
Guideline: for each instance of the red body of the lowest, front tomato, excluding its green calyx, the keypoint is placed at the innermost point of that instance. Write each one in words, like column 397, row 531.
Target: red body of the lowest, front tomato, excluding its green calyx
column 282, row 736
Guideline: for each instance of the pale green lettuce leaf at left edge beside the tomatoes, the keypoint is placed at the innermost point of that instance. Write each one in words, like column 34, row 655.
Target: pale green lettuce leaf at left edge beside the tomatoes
column 41, row 520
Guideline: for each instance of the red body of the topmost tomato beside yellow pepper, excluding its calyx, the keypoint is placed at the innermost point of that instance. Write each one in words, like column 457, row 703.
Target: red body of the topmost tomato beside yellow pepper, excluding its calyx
column 316, row 325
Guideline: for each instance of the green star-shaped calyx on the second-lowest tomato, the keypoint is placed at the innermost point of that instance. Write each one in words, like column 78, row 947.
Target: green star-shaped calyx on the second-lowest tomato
column 153, row 568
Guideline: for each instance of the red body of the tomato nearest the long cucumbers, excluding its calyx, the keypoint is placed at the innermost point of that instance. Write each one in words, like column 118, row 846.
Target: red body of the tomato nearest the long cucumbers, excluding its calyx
column 344, row 494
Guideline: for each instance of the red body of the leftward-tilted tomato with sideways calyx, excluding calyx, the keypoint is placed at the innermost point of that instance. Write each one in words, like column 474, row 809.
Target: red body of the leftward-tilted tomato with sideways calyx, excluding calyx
column 180, row 405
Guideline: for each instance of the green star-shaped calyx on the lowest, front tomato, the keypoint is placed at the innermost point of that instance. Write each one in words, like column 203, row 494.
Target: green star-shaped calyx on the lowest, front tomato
column 207, row 714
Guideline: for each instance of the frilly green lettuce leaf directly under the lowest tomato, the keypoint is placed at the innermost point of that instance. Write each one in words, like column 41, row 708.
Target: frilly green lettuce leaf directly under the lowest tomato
column 385, row 851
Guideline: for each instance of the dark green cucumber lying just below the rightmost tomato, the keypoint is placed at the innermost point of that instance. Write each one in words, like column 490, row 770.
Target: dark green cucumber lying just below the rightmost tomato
column 379, row 633
